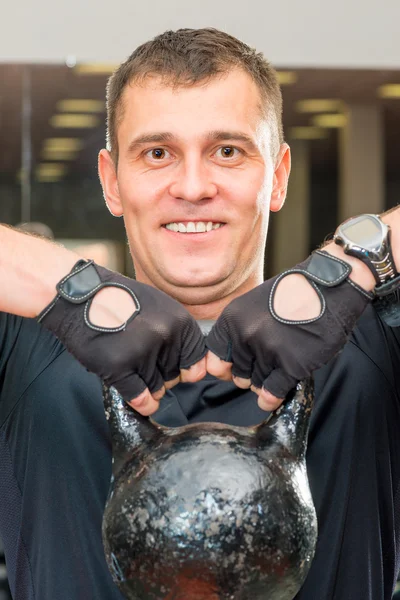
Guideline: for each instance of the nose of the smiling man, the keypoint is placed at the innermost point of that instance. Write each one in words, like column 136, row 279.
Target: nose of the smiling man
column 193, row 181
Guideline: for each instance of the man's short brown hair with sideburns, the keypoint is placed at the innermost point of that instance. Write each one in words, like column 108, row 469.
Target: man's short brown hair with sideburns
column 187, row 57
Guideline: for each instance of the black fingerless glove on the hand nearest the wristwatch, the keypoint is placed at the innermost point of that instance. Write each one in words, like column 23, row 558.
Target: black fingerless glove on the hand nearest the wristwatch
column 276, row 353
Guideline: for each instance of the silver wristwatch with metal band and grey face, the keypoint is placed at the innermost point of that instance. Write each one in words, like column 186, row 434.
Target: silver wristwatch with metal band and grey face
column 367, row 238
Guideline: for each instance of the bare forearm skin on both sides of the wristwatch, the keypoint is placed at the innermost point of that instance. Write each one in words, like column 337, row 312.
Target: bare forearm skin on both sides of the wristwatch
column 360, row 272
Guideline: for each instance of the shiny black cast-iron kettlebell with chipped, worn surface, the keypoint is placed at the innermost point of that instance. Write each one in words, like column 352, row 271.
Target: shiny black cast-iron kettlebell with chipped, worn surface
column 210, row 511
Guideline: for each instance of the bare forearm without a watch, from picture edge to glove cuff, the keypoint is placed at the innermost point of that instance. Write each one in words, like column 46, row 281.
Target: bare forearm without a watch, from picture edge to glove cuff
column 30, row 268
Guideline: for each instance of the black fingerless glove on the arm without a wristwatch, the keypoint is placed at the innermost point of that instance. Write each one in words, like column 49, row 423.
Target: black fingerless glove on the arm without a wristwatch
column 158, row 340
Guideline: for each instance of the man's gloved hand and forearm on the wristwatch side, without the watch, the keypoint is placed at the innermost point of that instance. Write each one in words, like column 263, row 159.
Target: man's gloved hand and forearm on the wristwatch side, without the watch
column 290, row 326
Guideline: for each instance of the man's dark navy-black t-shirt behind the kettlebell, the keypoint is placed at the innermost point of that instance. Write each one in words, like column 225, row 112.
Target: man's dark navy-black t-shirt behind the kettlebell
column 55, row 464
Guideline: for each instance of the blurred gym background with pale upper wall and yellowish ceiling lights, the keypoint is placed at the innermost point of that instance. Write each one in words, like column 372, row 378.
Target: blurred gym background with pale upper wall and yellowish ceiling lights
column 339, row 67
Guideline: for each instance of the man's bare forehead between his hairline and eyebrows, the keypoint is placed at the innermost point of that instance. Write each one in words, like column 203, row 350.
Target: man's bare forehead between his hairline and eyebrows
column 230, row 100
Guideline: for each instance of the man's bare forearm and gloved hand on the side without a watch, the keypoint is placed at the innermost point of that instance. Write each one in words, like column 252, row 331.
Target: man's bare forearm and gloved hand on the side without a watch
column 95, row 328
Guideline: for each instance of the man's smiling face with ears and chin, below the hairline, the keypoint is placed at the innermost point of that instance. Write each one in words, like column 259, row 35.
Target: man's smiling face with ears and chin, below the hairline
column 195, row 183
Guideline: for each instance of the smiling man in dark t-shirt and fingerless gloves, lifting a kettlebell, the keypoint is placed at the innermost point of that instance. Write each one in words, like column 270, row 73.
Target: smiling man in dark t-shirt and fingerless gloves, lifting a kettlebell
column 195, row 161
